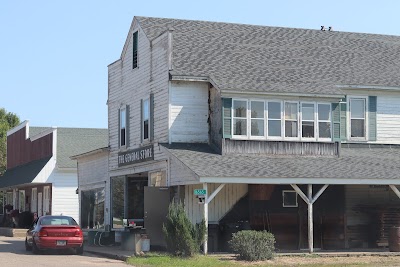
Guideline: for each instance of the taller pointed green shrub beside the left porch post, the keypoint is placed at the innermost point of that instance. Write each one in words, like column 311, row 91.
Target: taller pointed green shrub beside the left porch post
column 182, row 237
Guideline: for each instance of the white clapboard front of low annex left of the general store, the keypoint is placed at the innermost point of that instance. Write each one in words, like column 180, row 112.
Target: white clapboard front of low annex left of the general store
column 93, row 174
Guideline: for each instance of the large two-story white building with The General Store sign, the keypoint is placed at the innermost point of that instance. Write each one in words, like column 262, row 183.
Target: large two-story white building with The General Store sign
column 291, row 130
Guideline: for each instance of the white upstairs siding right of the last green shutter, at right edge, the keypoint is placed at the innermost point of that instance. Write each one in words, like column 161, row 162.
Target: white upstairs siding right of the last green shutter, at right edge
column 388, row 119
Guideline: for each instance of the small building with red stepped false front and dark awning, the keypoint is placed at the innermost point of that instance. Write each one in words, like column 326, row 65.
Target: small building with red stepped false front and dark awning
column 40, row 176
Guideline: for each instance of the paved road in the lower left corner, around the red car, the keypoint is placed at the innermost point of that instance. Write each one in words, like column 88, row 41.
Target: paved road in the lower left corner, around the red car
column 13, row 254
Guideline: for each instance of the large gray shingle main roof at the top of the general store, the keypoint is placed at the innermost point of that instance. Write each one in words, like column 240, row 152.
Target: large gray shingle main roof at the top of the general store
column 278, row 60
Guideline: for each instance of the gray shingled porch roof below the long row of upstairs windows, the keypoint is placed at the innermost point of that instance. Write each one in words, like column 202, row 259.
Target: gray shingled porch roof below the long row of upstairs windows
column 357, row 164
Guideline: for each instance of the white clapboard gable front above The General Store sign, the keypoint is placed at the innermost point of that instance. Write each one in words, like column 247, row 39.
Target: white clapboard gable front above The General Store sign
column 129, row 86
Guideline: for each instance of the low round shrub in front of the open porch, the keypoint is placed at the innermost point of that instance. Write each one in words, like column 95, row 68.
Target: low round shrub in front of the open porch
column 253, row 245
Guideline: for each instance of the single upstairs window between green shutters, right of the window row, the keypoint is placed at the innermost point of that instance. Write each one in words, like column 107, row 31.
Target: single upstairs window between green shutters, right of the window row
column 355, row 116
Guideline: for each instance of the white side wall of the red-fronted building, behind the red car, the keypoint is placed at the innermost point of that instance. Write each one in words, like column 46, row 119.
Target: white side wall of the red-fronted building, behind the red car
column 64, row 199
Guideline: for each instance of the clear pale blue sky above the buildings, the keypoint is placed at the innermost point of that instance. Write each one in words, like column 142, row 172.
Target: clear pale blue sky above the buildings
column 54, row 54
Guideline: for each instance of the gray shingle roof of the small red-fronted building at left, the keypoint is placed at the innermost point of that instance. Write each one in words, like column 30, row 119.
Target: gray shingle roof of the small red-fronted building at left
column 75, row 141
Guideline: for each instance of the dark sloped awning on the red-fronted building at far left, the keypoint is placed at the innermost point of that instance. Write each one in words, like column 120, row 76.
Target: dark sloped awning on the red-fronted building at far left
column 23, row 174
